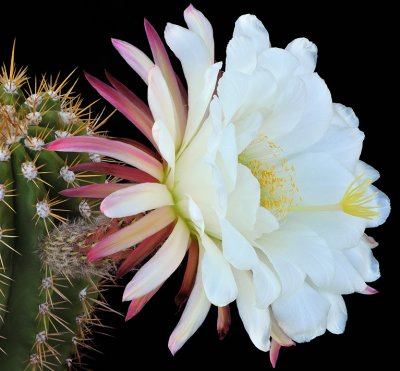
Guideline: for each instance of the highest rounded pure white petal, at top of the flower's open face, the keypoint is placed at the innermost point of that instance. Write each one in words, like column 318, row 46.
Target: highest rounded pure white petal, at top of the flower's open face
column 250, row 26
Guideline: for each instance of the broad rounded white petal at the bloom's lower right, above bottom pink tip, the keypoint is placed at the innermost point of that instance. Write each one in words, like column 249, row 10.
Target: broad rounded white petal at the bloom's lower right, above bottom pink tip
column 303, row 314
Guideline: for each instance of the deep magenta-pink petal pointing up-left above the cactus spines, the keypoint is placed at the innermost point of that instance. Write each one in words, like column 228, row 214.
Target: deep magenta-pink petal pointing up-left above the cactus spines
column 133, row 112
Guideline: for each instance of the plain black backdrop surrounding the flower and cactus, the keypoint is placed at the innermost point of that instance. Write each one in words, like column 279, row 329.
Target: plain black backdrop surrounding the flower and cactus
column 356, row 58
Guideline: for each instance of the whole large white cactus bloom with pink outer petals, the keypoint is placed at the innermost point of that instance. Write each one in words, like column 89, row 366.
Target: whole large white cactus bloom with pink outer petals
column 260, row 181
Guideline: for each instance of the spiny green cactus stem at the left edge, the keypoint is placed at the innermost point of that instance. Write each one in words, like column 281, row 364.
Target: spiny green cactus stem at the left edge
column 44, row 315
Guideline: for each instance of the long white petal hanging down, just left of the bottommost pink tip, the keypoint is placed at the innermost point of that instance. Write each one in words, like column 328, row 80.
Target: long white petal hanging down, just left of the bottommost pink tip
column 256, row 321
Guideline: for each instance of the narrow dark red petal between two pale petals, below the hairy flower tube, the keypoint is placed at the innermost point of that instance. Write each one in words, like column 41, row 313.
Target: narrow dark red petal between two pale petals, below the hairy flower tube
column 143, row 250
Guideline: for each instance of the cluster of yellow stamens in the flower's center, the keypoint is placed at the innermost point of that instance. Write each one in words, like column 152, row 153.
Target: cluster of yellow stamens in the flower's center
column 278, row 190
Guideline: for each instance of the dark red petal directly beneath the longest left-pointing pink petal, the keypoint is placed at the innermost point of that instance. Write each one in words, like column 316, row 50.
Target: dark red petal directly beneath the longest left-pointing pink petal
column 119, row 171
